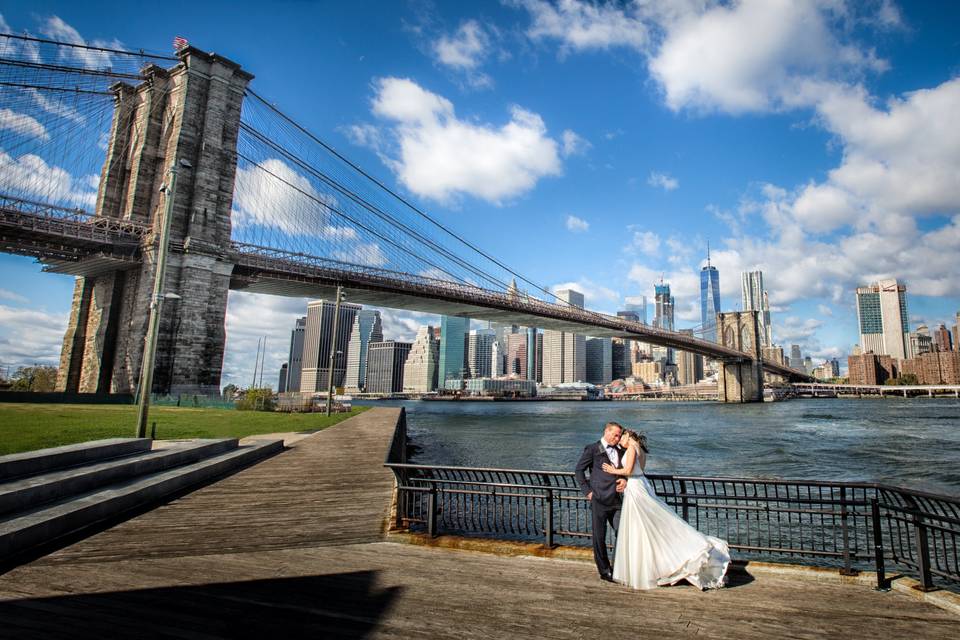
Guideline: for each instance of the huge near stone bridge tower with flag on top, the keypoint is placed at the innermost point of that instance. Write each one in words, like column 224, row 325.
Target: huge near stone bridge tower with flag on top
column 189, row 117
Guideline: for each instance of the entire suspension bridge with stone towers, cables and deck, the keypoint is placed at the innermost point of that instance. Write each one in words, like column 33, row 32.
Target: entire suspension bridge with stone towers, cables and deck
column 89, row 137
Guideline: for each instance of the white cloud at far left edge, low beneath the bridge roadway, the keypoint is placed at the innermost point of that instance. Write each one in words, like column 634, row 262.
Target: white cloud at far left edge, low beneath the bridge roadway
column 30, row 336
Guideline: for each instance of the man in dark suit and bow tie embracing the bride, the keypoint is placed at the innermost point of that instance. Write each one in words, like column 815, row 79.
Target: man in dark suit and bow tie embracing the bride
column 603, row 490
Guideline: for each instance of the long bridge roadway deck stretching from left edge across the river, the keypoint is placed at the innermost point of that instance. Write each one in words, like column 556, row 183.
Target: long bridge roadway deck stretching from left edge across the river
column 74, row 242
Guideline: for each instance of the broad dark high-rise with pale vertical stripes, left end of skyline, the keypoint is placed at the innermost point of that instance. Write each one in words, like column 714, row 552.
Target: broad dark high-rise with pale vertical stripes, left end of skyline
column 318, row 340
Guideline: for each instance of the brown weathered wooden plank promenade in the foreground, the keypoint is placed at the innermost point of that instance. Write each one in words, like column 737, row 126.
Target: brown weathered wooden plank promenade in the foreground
column 295, row 547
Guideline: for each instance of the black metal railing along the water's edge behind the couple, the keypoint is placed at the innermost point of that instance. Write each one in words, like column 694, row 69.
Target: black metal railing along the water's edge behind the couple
column 845, row 524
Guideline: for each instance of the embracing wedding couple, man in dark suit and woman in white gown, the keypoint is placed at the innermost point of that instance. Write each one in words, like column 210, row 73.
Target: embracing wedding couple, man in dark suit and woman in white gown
column 655, row 546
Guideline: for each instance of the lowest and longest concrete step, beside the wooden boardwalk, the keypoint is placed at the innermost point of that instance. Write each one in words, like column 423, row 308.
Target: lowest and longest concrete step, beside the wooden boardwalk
column 45, row 524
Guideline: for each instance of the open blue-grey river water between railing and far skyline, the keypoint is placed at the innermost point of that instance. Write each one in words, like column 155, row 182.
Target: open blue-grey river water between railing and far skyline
column 913, row 443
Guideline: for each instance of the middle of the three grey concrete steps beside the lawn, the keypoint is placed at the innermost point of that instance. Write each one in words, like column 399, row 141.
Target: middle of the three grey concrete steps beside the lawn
column 34, row 491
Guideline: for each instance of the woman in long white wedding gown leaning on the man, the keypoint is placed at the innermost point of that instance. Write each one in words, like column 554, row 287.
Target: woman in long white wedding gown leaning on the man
column 655, row 546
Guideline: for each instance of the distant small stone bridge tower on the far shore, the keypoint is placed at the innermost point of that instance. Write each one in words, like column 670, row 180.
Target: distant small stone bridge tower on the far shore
column 740, row 381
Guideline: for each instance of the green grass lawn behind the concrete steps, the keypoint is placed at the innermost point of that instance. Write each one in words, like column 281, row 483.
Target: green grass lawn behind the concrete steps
column 25, row 427
